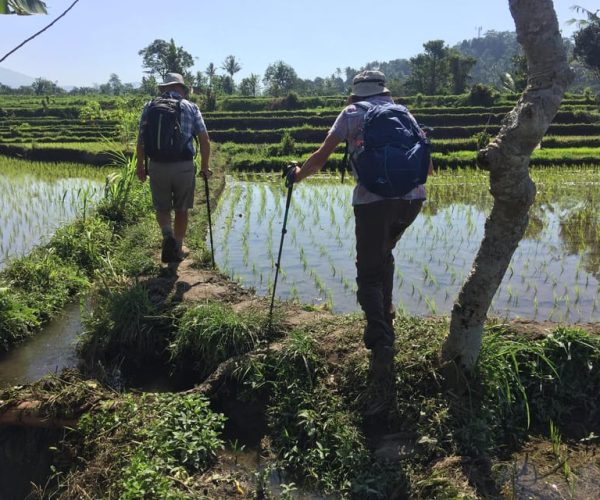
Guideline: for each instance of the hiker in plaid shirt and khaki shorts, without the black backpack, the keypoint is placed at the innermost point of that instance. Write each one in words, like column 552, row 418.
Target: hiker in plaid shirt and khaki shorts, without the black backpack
column 173, row 183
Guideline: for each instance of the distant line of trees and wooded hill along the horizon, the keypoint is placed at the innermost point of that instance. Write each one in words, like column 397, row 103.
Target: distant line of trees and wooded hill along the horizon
column 494, row 59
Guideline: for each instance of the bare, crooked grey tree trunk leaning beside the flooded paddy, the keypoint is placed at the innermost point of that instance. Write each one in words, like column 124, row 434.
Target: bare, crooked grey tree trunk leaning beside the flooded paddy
column 507, row 159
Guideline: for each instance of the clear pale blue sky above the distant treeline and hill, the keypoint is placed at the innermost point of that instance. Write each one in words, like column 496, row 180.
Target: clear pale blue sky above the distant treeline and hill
column 98, row 38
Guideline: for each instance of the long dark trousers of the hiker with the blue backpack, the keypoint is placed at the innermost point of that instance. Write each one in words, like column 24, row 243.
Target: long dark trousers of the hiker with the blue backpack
column 379, row 226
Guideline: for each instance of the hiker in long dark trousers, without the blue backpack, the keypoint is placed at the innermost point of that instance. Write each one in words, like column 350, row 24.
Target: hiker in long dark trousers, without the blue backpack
column 380, row 222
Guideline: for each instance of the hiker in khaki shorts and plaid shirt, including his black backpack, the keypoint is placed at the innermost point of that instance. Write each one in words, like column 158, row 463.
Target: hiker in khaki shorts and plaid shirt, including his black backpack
column 168, row 126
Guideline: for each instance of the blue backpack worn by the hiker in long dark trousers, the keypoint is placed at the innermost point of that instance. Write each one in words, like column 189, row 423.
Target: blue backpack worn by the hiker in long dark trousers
column 395, row 157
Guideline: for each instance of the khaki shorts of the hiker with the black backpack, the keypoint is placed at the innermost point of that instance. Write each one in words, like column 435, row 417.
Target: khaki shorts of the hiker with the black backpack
column 172, row 185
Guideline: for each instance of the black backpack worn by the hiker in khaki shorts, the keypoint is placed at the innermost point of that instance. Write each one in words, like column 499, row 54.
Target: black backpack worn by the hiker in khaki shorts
column 163, row 140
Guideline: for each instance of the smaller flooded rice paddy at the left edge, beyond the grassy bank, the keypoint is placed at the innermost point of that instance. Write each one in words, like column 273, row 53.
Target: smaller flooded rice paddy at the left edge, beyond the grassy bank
column 36, row 199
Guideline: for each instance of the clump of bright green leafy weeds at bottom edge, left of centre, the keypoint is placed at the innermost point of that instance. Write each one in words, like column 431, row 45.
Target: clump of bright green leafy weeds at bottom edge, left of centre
column 149, row 446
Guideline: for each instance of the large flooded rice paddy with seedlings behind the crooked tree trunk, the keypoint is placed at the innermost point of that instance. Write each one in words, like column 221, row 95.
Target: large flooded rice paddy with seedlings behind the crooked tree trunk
column 554, row 274
